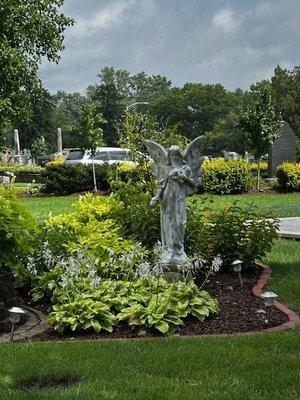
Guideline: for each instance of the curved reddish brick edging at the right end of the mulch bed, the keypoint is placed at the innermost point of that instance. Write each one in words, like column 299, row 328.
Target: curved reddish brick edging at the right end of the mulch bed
column 293, row 317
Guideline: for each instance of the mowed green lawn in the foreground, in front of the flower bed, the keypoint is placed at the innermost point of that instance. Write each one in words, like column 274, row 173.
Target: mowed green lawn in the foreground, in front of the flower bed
column 261, row 367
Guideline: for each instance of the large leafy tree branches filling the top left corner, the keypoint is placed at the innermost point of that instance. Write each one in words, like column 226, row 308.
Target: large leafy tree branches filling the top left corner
column 29, row 31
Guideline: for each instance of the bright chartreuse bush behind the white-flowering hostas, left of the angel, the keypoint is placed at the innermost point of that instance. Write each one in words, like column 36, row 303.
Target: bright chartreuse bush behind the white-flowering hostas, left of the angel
column 89, row 228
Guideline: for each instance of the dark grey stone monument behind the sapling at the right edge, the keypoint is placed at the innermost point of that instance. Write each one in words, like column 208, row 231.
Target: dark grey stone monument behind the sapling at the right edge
column 283, row 149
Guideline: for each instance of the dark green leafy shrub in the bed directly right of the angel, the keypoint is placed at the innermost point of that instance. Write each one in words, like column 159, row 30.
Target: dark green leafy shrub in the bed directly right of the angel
column 232, row 232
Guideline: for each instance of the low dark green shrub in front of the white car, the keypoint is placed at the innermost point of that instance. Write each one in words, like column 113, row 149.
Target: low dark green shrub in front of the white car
column 66, row 179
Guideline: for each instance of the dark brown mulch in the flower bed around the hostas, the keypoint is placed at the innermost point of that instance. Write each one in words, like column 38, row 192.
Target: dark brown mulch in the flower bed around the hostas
column 240, row 311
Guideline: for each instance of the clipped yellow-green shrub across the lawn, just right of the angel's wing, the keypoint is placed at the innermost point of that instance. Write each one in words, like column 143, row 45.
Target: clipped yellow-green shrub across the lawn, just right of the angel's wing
column 226, row 177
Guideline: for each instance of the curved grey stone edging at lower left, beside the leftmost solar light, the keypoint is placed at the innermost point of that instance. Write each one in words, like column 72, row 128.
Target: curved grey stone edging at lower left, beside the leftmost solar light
column 34, row 325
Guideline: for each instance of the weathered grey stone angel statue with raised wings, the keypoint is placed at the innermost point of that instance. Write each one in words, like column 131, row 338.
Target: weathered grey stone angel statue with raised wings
column 178, row 174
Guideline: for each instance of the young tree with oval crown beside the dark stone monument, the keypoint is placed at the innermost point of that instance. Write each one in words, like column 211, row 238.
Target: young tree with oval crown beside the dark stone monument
column 260, row 122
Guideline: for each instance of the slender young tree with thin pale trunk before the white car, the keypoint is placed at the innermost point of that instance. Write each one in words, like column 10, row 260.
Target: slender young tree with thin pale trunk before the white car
column 90, row 133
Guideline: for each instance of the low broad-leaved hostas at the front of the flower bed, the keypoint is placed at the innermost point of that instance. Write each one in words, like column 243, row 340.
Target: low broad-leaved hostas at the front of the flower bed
column 150, row 303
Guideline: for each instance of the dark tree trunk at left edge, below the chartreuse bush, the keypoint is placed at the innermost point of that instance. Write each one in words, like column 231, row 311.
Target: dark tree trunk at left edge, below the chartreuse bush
column 7, row 291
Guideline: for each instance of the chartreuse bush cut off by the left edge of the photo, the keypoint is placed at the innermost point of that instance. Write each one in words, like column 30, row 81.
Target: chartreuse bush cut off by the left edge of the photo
column 17, row 230
